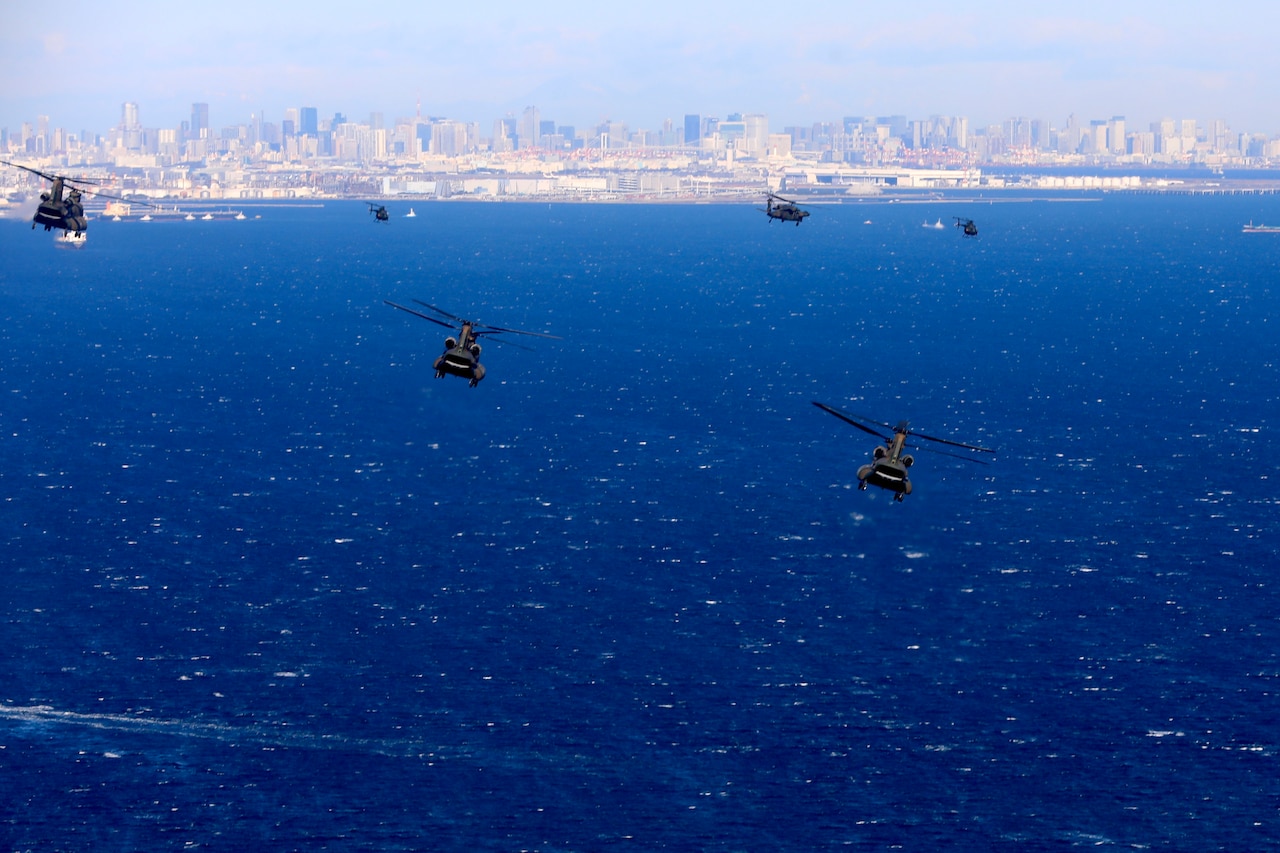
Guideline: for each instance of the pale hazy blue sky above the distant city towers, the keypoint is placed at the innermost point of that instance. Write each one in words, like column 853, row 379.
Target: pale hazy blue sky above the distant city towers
column 642, row 61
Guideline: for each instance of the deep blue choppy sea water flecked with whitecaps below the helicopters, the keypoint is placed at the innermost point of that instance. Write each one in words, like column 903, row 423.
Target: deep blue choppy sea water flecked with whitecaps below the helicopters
column 273, row 586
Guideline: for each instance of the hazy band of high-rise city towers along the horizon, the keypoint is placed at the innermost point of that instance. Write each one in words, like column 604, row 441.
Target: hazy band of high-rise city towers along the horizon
column 884, row 139
